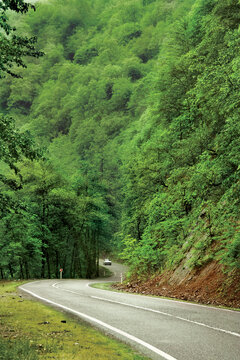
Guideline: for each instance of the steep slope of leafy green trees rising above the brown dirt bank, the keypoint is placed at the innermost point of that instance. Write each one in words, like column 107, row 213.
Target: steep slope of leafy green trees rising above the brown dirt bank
column 193, row 163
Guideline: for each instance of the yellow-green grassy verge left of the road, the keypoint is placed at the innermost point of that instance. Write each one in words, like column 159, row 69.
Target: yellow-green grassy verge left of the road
column 30, row 331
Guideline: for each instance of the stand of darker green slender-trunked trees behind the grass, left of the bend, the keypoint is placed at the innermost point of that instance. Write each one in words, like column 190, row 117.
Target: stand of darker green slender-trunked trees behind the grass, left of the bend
column 57, row 225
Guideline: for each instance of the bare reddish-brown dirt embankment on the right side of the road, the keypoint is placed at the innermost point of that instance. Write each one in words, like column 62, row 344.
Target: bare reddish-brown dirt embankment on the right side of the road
column 207, row 285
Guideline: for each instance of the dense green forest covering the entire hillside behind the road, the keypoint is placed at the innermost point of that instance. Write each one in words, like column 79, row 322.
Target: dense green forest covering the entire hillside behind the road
column 134, row 111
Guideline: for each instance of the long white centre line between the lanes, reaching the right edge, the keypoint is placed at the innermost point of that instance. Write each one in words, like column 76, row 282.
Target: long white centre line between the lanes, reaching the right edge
column 167, row 314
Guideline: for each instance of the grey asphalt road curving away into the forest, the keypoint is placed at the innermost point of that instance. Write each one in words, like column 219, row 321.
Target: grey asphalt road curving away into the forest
column 158, row 328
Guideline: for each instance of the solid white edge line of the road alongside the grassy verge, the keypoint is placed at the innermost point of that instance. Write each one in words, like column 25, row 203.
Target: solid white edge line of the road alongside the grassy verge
column 101, row 323
